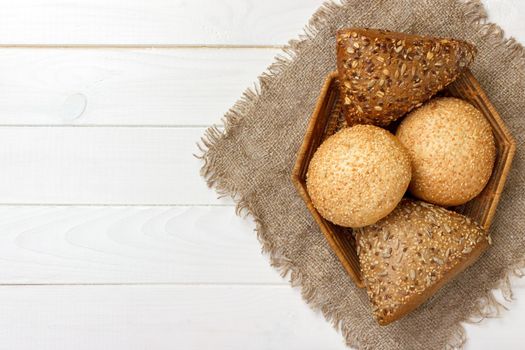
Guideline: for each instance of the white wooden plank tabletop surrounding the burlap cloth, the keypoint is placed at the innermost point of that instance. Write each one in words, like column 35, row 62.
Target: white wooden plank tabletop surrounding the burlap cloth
column 108, row 237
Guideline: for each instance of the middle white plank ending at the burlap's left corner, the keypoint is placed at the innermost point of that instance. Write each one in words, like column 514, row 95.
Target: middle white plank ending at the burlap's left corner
column 146, row 166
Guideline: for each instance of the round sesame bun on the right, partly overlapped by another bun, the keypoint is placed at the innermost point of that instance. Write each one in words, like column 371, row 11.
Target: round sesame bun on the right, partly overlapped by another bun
column 452, row 151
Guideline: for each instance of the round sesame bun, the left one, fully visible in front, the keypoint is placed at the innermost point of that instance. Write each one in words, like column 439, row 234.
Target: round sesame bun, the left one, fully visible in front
column 358, row 176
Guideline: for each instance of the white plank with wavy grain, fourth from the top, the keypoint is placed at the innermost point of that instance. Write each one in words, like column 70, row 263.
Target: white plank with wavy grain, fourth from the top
column 97, row 245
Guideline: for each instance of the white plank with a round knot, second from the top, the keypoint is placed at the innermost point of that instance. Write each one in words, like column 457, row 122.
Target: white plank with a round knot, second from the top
column 124, row 87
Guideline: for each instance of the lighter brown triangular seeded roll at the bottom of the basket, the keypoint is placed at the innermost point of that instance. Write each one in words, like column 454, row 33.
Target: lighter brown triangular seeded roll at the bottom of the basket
column 406, row 257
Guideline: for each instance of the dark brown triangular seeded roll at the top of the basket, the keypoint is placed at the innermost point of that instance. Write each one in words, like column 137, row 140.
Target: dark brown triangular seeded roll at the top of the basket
column 384, row 75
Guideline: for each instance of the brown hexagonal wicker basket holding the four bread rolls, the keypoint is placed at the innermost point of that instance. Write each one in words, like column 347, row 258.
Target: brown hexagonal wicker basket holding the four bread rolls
column 327, row 119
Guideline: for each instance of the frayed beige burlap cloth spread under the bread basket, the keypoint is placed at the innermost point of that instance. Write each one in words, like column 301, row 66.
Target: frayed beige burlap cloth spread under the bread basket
column 251, row 160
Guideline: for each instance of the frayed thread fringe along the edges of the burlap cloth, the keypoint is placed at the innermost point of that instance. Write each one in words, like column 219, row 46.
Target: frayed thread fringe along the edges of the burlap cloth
column 486, row 307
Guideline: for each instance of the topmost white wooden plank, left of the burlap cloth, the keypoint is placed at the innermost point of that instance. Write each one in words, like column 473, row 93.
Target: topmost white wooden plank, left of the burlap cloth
column 155, row 22
